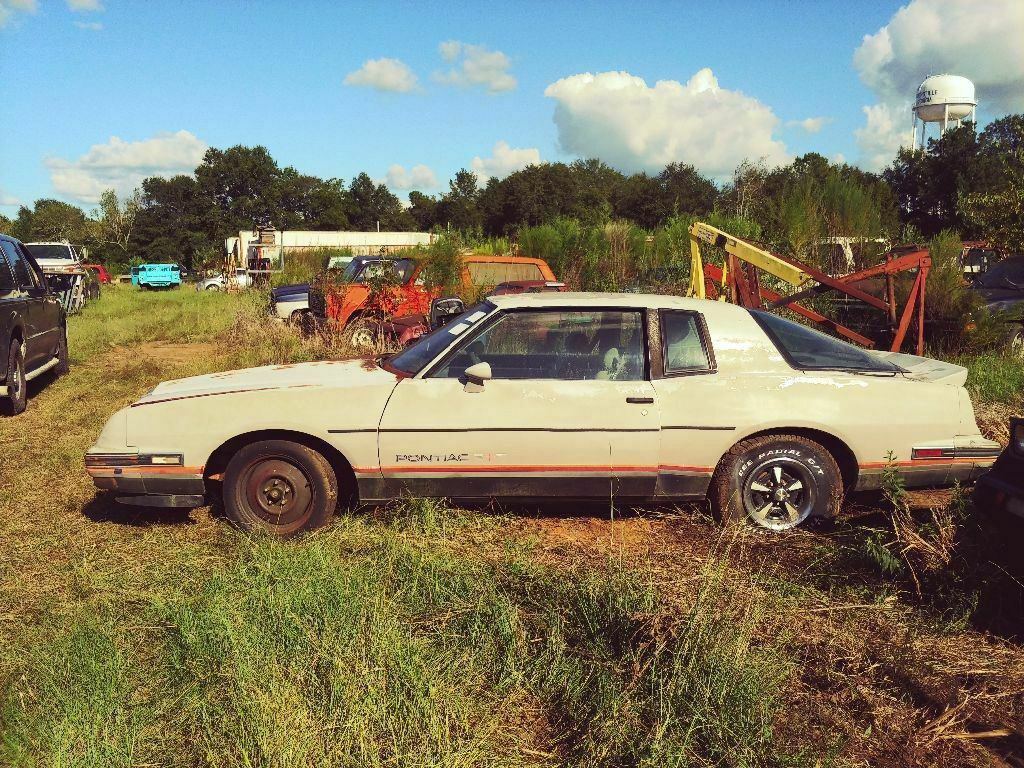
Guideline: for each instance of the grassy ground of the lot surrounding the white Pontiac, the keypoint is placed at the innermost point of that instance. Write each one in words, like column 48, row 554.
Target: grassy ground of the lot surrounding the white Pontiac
column 424, row 635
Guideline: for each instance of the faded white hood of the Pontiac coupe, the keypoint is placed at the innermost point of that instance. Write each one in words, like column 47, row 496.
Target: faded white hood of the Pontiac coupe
column 335, row 374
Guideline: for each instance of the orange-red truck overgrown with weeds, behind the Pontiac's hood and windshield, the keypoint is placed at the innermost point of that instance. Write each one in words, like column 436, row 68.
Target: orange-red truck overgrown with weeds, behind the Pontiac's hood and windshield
column 361, row 301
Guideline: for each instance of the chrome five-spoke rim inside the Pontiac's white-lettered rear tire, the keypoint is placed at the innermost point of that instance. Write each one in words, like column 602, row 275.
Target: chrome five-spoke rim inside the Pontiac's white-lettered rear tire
column 779, row 494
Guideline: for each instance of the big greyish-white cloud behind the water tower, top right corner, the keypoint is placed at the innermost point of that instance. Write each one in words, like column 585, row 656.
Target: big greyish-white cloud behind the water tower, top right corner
column 983, row 42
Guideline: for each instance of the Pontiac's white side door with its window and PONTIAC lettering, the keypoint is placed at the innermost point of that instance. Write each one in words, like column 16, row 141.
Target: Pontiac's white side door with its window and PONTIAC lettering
column 569, row 412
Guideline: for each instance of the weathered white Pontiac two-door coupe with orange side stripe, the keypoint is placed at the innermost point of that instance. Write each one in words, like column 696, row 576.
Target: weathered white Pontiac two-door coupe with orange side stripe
column 556, row 396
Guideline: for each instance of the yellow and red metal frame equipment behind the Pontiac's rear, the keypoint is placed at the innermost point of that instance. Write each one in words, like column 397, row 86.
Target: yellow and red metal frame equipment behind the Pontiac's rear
column 739, row 281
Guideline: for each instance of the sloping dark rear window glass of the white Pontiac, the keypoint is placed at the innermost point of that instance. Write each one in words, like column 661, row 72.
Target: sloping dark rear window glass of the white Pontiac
column 806, row 349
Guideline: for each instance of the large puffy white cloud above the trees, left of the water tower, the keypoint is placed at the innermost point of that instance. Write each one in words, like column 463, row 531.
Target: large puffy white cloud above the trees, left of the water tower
column 619, row 118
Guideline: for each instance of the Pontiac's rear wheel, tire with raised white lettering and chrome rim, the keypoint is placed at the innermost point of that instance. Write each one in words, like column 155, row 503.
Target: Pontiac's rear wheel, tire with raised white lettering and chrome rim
column 777, row 482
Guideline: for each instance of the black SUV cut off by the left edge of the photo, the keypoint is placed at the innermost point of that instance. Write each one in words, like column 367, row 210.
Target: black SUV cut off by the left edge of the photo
column 33, row 326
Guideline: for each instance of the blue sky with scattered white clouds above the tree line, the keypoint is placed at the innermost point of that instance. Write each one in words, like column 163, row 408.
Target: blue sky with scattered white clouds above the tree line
column 102, row 94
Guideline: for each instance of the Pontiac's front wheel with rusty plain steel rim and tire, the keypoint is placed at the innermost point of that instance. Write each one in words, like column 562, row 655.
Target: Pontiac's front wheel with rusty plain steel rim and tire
column 280, row 487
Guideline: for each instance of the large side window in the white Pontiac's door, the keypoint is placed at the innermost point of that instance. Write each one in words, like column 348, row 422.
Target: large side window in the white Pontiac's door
column 570, row 346
